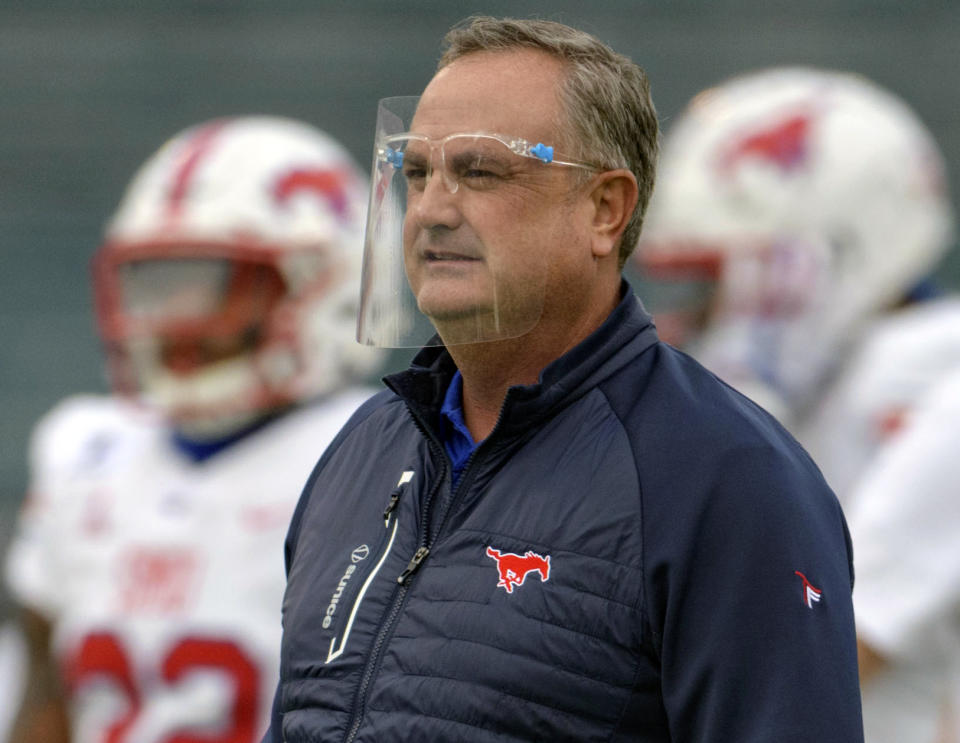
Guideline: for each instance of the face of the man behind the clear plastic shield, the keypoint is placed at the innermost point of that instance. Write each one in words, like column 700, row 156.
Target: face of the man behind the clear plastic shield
column 480, row 259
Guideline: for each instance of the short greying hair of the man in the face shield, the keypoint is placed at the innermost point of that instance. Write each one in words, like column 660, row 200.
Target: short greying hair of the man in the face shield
column 606, row 97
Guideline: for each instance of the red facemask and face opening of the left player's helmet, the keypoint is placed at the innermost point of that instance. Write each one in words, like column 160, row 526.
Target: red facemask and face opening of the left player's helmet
column 211, row 340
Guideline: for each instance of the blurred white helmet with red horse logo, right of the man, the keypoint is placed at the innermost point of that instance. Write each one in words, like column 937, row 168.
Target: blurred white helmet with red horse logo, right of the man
column 792, row 204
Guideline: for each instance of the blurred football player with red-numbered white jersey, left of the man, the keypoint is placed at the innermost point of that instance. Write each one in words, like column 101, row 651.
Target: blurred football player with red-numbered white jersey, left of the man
column 149, row 557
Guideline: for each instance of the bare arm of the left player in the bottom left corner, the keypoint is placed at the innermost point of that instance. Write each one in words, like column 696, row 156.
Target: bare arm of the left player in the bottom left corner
column 42, row 717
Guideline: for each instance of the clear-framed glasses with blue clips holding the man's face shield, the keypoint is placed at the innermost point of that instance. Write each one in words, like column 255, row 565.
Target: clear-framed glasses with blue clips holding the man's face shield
column 479, row 160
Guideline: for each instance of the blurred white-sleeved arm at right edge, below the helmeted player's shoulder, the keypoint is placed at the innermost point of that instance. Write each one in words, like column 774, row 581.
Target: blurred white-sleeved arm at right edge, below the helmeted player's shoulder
column 904, row 519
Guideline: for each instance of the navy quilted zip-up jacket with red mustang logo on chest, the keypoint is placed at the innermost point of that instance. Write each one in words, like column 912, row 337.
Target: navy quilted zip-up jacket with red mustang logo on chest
column 636, row 552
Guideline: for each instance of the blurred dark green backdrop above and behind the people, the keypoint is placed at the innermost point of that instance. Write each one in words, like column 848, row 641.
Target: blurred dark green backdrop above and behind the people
column 89, row 89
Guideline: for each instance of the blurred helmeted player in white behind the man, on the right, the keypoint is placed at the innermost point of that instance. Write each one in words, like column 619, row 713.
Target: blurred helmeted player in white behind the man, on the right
column 797, row 213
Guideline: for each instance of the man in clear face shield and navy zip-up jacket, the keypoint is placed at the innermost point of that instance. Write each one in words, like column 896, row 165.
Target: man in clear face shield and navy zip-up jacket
column 552, row 527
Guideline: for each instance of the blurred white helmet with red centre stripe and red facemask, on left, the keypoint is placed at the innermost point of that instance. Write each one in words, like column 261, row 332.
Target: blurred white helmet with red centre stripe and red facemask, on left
column 228, row 282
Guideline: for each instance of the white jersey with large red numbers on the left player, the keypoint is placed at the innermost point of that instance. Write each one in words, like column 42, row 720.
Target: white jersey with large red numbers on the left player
column 163, row 577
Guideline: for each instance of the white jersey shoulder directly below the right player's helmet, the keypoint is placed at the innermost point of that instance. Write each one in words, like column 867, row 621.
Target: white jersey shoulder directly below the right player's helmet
column 898, row 362
